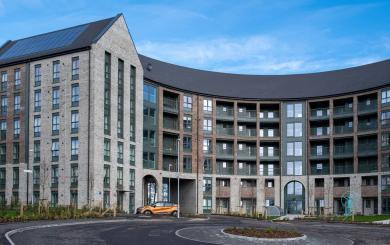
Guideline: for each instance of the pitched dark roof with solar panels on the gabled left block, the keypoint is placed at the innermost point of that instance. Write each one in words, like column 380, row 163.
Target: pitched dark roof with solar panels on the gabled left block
column 61, row 41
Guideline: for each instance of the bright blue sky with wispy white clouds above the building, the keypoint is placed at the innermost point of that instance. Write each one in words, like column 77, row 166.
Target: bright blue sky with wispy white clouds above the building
column 248, row 36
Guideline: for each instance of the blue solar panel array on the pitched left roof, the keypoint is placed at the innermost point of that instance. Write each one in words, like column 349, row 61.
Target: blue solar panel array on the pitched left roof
column 43, row 42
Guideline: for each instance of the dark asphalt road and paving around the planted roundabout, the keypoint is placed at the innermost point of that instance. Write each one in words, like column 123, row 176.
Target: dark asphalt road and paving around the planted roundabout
column 186, row 231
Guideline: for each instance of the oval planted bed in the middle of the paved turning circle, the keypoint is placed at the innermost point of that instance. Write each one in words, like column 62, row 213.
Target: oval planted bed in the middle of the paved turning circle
column 263, row 233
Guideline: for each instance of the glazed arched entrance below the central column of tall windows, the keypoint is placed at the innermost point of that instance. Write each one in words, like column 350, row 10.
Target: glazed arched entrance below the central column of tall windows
column 294, row 198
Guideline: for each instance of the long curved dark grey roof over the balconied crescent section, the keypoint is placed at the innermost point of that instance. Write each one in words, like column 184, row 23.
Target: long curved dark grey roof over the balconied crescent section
column 268, row 87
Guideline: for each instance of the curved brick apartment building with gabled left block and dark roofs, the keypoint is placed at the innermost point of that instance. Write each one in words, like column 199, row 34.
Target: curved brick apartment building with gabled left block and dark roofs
column 71, row 113
